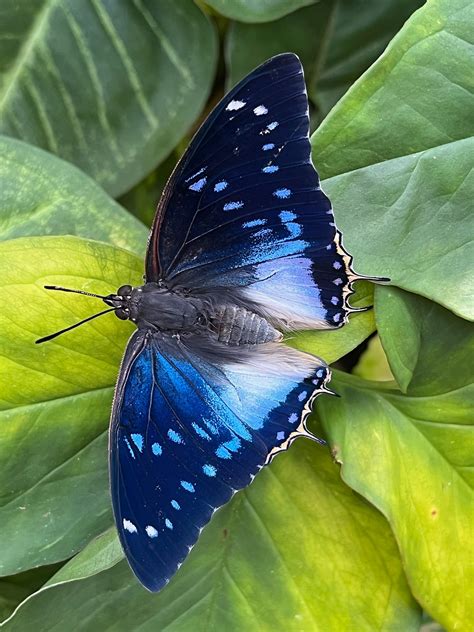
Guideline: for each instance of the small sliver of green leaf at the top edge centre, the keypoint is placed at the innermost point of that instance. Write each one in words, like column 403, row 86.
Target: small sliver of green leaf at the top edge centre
column 257, row 10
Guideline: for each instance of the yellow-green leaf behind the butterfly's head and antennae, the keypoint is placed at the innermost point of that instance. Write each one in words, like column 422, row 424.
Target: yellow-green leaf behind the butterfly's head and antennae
column 55, row 398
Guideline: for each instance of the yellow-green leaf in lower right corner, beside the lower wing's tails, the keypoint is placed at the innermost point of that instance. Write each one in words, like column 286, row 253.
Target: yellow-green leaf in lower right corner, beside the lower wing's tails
column 412, row 458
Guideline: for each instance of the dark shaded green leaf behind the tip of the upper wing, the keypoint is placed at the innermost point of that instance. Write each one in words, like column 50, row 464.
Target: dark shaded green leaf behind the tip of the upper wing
column 336, row 40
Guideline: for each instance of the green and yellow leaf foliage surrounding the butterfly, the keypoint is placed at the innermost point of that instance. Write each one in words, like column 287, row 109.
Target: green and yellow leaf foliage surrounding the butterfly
column 98, row 99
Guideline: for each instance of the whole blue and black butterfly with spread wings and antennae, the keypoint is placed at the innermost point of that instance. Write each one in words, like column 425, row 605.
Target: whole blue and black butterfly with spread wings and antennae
column 243, row 248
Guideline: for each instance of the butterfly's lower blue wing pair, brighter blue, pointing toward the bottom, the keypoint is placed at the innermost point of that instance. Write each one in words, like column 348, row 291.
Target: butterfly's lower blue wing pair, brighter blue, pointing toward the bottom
column 187, row 432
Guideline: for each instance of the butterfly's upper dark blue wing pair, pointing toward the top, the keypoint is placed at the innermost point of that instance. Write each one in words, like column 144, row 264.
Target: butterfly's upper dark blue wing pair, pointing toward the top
column 244, row 209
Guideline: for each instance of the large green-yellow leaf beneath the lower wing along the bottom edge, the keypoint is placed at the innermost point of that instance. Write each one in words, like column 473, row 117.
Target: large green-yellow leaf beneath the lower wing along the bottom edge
column 297, row 548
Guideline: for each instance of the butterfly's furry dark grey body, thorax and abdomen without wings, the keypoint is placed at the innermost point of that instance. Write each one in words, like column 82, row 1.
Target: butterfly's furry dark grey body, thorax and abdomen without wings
column 155, row 307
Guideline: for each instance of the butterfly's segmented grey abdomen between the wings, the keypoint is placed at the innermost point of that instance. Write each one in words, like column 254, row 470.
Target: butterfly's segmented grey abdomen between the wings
column 237, row 326
